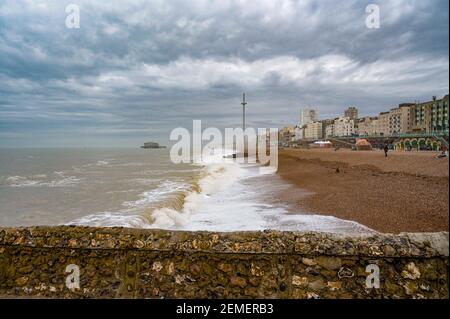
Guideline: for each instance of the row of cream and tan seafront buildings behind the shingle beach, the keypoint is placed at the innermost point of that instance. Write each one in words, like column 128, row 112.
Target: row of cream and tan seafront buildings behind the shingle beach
column 429, row 117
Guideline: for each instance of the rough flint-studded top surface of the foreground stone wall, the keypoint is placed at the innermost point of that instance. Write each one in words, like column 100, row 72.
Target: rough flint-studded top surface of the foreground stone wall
column 424, row 245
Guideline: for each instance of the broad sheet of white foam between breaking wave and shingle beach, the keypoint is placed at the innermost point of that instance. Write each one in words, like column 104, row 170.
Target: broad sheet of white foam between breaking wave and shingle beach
column 239, row 208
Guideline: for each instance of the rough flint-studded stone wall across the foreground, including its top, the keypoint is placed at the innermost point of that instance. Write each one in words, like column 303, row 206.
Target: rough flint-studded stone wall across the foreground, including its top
column 85, row 262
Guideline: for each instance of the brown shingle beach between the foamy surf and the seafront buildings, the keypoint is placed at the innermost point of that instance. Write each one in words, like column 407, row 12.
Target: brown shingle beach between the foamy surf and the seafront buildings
column 405, row 192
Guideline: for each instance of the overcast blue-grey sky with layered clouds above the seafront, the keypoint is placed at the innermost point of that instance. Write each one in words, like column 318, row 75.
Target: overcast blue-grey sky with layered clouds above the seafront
column 135, row 70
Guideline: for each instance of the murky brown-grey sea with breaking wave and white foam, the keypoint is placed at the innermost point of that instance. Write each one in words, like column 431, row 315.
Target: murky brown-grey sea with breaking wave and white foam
column 143, row 188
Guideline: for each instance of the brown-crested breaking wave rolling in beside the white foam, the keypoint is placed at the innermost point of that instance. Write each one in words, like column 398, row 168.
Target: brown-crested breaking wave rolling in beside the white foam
column 172, row 202
